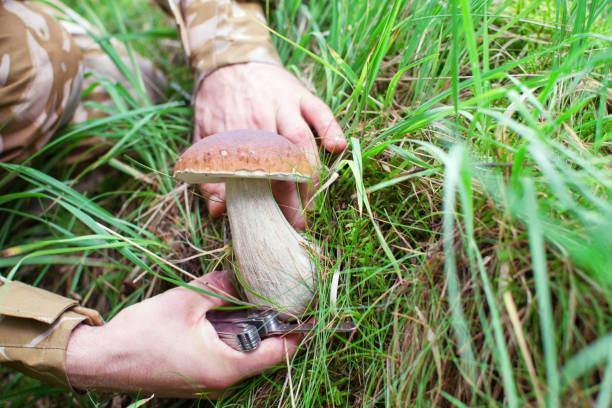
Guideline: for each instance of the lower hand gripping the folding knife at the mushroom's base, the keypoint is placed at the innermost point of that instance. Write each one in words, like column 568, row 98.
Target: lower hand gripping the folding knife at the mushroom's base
column 165, row 346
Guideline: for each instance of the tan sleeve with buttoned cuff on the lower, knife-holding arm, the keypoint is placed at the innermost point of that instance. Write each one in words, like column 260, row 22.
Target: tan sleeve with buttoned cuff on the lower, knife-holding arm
column 35, row 326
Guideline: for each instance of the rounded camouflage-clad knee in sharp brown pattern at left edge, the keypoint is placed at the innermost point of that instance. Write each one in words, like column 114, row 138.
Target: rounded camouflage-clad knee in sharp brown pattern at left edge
column 40, row 79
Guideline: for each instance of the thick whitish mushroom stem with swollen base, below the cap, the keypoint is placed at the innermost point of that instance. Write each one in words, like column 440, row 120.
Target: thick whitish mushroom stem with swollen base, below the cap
column 273, row 264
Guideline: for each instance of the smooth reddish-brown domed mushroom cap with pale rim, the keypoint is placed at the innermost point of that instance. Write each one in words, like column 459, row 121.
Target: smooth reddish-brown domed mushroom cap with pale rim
column 242, row 154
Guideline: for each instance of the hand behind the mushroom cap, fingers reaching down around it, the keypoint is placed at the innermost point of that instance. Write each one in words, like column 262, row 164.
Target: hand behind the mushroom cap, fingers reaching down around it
column 267, row 97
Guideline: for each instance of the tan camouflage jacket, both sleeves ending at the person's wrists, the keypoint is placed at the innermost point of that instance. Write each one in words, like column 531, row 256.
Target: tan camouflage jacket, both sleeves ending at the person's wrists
column 35, row 325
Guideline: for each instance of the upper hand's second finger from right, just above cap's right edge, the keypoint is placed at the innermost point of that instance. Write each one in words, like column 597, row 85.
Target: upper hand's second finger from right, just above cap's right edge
column 291, row 125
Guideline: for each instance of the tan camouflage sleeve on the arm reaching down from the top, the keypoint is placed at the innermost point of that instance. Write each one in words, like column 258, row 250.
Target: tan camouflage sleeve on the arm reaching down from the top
column 215, row 33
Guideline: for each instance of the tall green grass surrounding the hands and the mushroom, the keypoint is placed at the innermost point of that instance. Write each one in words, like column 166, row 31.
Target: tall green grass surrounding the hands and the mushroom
column 466, row 229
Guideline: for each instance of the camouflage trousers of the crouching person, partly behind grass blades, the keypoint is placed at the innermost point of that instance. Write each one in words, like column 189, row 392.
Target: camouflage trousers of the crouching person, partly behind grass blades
column 41, row 83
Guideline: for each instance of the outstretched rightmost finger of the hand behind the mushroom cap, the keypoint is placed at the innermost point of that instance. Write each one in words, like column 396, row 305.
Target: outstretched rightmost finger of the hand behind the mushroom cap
column 320, row 116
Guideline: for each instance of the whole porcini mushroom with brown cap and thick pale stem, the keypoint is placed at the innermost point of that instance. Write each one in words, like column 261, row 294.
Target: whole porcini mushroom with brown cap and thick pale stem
column 274, row 263
